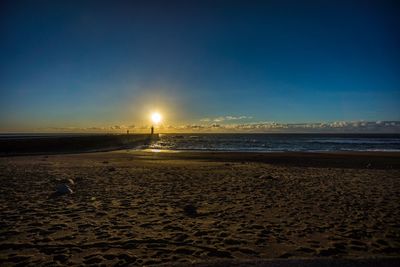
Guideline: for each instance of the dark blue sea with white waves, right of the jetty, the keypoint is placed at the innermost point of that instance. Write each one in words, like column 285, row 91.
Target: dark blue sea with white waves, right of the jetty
column 279, row 142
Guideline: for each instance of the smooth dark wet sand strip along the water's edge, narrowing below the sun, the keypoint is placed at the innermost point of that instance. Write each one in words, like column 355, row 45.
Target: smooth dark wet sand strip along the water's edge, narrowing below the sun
column 360, row 160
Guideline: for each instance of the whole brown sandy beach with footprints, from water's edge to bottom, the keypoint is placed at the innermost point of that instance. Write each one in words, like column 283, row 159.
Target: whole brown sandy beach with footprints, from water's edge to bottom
column 179, row 208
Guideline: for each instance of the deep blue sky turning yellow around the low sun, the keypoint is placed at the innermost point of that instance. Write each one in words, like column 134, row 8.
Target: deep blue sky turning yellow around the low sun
column 204, row 65
